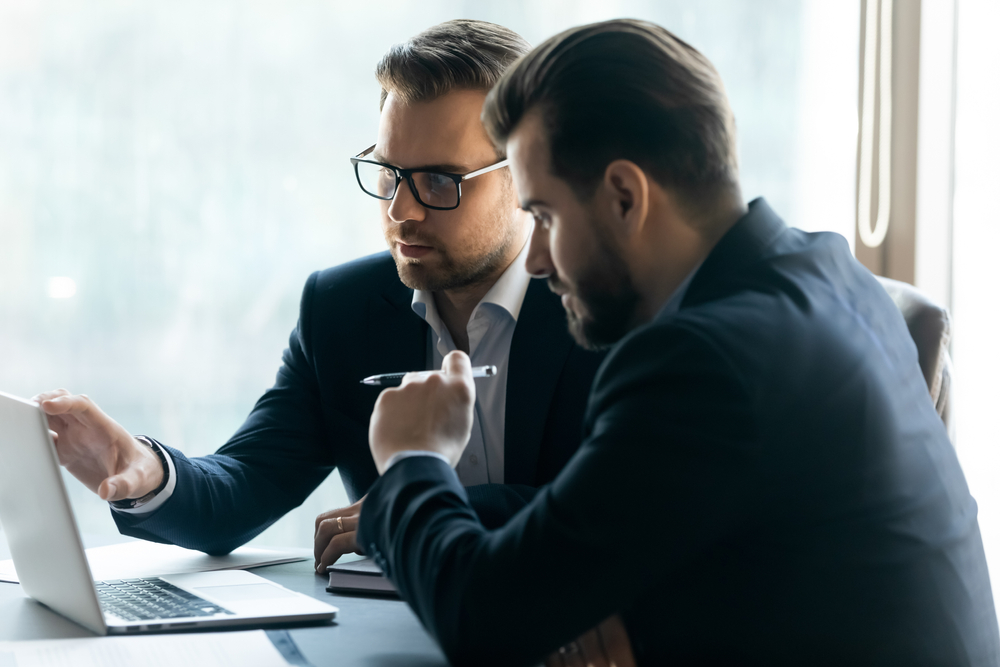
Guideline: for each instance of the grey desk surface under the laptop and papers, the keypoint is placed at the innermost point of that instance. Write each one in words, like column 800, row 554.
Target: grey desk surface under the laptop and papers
column 367, row 631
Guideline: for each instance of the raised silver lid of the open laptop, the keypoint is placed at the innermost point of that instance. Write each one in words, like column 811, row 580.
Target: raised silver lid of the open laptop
column 38, row 518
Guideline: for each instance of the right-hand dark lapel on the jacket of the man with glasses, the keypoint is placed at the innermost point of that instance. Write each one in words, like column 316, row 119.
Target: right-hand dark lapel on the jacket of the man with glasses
column 538, row 352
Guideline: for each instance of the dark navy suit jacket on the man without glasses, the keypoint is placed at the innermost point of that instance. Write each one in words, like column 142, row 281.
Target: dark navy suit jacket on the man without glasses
column 764, row 481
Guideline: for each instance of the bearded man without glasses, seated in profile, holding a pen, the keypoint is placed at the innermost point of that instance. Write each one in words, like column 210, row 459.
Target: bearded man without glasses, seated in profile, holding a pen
column 764, row 479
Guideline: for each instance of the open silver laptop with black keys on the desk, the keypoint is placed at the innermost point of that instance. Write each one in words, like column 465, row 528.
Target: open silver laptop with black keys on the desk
column 52, row 566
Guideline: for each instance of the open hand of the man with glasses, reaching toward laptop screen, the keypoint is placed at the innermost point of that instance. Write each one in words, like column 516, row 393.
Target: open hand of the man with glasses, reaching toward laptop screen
column 97, row 450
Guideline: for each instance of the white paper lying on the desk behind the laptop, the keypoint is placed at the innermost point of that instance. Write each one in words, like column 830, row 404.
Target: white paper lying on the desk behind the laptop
column 131, row 560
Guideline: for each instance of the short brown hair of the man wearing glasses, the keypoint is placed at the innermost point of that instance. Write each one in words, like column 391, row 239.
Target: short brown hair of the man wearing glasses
column 452, row 55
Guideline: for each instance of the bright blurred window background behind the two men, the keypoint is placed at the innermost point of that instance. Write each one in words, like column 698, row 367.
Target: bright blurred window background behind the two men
column 170, row 174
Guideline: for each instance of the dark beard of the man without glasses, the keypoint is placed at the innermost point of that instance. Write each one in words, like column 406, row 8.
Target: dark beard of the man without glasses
column 606, row 292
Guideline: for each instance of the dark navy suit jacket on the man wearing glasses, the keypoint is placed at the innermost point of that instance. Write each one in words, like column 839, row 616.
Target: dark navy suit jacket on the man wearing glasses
column 355, row 320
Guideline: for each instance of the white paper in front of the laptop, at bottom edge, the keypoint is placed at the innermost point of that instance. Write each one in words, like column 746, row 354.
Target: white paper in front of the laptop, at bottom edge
column 210, row 649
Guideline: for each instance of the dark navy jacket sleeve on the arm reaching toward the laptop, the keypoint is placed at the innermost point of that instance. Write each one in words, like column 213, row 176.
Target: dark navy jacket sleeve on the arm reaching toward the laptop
column 273, row 462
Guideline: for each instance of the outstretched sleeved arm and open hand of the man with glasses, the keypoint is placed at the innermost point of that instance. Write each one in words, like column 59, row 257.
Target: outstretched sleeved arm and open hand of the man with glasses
column 275, row 460
